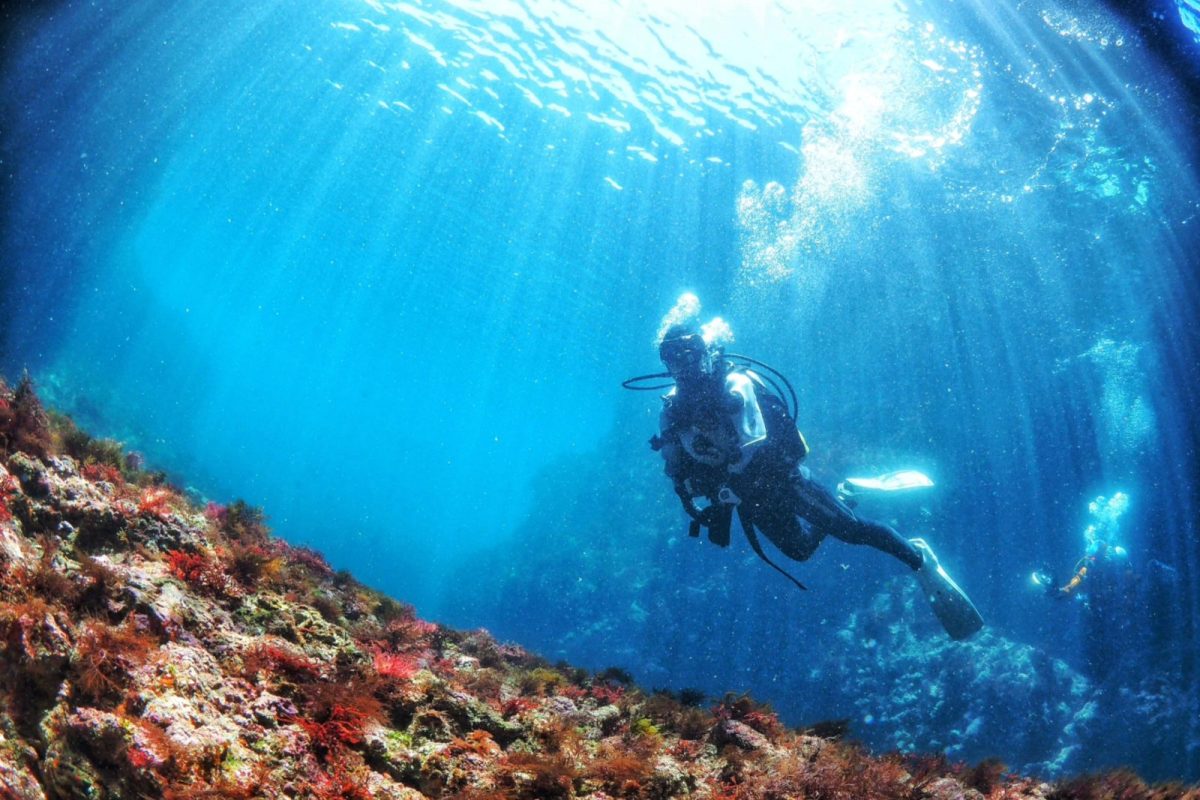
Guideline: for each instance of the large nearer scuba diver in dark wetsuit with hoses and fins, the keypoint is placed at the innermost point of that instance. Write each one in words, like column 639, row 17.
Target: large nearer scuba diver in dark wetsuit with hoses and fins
column 730, row 443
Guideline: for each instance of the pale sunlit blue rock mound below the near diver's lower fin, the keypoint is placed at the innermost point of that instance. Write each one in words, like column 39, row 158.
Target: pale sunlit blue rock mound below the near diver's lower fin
column 915, row 687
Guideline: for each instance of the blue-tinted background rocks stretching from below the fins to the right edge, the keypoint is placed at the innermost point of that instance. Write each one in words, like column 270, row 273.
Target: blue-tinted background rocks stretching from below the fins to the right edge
column 917, row 690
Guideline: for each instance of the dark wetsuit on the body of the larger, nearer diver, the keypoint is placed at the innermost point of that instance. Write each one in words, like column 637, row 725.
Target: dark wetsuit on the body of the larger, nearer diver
column 713, row 435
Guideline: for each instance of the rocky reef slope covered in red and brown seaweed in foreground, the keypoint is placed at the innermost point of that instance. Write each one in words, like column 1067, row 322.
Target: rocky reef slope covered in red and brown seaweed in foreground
column 154, row 647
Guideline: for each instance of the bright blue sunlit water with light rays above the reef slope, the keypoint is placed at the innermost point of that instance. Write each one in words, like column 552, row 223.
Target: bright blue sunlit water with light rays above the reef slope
column 381, row 269
